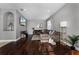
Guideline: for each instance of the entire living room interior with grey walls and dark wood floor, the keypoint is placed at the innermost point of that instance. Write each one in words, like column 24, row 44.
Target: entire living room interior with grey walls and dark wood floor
column 39, row 28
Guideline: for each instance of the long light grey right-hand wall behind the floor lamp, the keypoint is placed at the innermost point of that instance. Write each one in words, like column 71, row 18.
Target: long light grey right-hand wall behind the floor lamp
column 67, row 13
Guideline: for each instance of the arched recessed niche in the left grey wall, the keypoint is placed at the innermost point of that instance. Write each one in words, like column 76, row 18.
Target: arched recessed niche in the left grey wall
column 8, row 23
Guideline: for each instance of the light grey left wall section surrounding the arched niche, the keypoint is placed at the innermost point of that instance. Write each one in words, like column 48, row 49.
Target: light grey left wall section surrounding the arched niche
column 6, row 35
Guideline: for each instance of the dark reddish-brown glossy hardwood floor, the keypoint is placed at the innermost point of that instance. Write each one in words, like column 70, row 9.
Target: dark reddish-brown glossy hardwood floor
column 28, row 47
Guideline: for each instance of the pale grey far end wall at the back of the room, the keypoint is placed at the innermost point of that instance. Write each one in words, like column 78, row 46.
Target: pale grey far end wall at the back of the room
column 33, row 23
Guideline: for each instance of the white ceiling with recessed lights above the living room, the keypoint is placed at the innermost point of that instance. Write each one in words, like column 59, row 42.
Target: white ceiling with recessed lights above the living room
column 35, row 11
